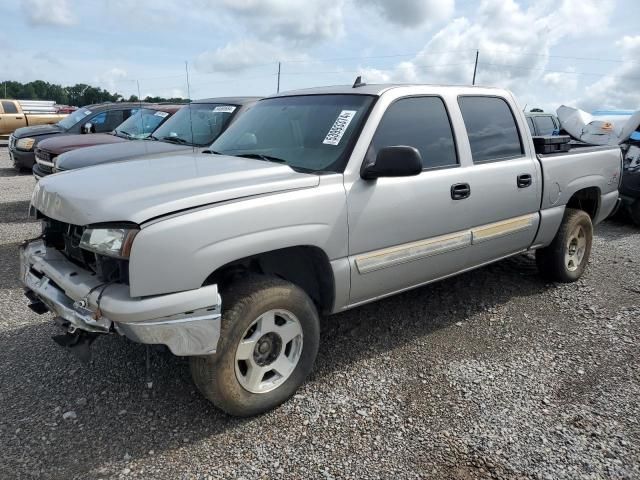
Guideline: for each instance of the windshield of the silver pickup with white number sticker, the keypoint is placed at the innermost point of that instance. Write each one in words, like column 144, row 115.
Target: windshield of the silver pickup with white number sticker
column 310, row 132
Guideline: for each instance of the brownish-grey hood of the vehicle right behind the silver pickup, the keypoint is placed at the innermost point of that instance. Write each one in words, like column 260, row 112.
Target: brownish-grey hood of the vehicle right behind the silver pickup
column 114, row 152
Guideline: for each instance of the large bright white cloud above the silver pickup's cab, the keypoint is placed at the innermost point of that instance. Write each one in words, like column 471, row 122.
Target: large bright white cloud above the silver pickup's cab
column 514, row 43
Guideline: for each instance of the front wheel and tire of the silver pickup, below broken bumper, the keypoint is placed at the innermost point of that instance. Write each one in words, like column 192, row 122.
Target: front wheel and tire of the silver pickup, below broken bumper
column 256, row 311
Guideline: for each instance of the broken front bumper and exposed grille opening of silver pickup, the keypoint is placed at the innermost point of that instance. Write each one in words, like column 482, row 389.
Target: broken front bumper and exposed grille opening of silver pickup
column 89, row 296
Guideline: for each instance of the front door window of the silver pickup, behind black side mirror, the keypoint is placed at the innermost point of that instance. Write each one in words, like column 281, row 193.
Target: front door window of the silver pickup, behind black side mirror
column 420, row 122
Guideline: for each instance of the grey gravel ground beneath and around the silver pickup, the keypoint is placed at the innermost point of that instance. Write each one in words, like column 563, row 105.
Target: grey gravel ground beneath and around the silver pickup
column 493, row 374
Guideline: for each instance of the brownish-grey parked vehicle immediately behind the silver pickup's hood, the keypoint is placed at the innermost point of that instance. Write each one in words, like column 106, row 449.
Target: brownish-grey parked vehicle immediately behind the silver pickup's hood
column 194, row 126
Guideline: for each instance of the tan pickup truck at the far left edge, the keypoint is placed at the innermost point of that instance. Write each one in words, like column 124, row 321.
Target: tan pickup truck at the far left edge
column 15, row 114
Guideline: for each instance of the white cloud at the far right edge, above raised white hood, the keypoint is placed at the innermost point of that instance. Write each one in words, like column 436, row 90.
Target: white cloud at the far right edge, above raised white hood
column 620, row 88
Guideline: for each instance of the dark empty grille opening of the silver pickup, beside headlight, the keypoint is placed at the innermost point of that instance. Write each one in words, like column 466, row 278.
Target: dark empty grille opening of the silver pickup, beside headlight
column 66, row 237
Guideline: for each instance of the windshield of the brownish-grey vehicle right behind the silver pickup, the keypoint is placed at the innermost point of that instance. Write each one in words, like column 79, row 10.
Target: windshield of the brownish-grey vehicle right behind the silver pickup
column 205, row 120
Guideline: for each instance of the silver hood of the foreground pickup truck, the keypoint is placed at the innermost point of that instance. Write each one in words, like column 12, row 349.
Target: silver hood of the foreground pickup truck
column 140, row 190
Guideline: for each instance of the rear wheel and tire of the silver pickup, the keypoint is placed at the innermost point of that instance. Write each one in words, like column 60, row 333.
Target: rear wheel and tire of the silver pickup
column 568, row 255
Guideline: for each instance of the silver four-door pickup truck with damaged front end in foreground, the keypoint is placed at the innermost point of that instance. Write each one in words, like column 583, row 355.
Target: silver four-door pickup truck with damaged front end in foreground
column 313, row 202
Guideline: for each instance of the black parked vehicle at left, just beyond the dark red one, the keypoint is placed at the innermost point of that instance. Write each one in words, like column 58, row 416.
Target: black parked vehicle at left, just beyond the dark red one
column 99, row 118
